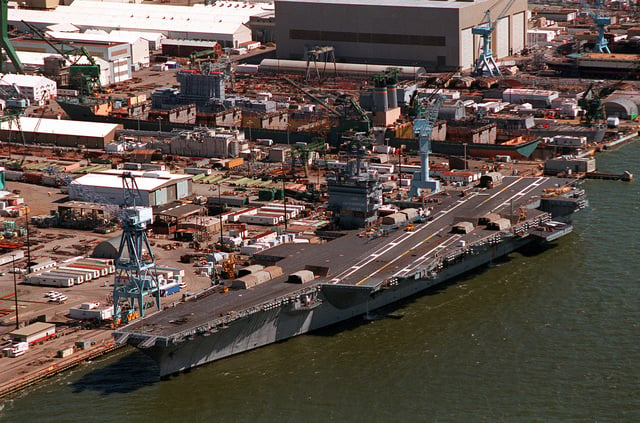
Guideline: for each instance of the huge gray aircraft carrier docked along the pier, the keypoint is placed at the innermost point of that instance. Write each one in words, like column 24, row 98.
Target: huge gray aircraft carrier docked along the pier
column 358, row 272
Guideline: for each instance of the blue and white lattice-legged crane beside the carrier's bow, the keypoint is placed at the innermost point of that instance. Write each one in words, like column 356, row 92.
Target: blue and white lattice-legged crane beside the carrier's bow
column 136, row 279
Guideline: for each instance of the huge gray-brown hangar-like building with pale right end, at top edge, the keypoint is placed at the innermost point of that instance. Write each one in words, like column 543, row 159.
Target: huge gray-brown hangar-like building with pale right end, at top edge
column 431, row 33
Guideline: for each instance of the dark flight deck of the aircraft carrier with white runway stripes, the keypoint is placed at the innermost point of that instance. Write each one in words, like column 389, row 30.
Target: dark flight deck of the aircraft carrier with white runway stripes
column 364, row 260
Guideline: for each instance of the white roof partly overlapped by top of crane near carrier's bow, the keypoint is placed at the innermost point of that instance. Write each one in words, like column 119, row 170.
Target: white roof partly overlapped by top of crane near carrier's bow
column 146, row 181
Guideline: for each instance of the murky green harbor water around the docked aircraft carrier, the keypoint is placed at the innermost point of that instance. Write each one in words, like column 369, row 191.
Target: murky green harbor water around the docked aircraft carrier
column 550, row 337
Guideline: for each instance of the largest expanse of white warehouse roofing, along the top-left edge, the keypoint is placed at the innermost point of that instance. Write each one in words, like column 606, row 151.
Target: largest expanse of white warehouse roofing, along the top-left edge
column 223, row 17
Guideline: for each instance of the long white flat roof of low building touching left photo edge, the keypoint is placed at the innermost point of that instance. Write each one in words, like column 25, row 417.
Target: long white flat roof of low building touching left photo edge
column 60, row 127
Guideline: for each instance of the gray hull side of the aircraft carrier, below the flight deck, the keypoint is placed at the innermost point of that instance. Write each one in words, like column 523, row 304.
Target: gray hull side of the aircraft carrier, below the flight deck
column 266, row 327
